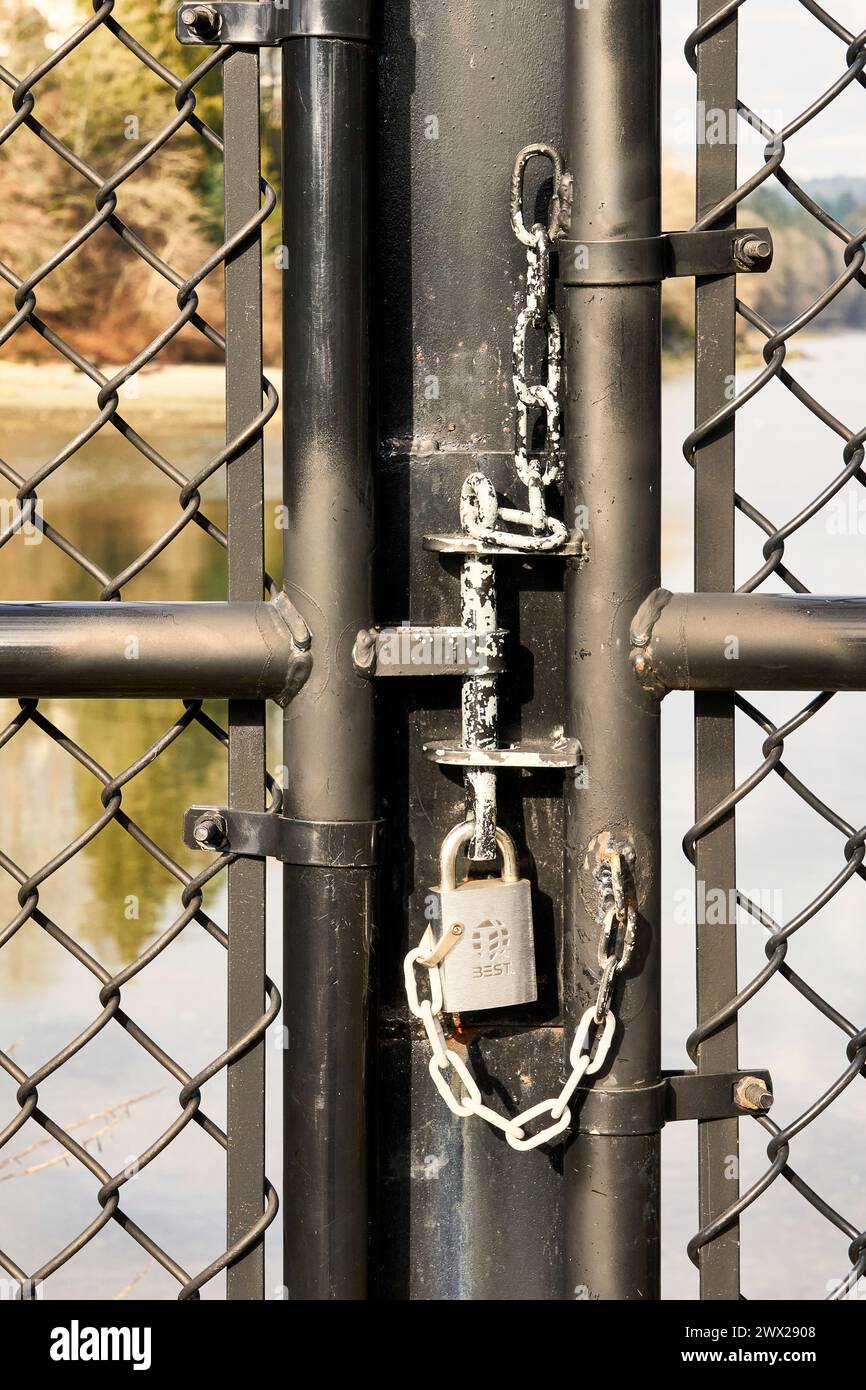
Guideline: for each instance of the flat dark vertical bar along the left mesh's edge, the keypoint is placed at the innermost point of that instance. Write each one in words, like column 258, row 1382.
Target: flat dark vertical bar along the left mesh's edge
column 247, row 746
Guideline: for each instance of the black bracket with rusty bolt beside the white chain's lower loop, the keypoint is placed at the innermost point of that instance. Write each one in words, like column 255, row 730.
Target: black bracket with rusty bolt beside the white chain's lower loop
column 679, row 1096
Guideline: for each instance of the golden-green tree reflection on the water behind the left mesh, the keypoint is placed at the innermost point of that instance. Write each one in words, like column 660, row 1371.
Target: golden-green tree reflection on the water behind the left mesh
column 111, row 502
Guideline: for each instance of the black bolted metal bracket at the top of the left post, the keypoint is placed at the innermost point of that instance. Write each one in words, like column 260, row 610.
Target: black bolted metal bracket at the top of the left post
column 272, row 23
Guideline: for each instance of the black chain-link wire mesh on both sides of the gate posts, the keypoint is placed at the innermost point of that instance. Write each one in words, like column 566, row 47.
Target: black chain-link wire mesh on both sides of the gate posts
column 97, row 580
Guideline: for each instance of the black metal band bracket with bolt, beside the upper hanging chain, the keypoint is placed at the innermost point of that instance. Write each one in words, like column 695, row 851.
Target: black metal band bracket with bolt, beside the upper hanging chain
column 647, row 261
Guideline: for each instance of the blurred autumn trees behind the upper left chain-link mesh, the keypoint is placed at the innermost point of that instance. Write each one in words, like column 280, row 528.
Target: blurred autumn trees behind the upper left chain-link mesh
column 106, row 105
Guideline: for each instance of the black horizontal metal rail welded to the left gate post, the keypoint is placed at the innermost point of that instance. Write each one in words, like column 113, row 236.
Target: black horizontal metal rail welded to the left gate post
column 201, row 651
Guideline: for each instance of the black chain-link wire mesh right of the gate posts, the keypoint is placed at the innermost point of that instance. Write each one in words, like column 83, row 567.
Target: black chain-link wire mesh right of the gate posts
column 853, row 842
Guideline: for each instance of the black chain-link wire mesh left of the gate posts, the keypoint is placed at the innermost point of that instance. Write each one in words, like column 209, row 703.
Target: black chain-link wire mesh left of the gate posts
column 31, row 511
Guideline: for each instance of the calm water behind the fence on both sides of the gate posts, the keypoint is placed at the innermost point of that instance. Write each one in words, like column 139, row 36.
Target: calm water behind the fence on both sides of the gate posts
column 112, row 502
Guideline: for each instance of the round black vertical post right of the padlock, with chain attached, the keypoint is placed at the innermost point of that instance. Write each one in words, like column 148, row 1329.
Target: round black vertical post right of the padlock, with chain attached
column 614, row 472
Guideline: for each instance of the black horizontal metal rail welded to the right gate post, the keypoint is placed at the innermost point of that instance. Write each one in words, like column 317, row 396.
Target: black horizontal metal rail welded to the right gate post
column 750, row 641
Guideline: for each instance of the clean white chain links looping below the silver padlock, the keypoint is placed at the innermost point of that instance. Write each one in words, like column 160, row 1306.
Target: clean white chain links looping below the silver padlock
column 586, row 1058
